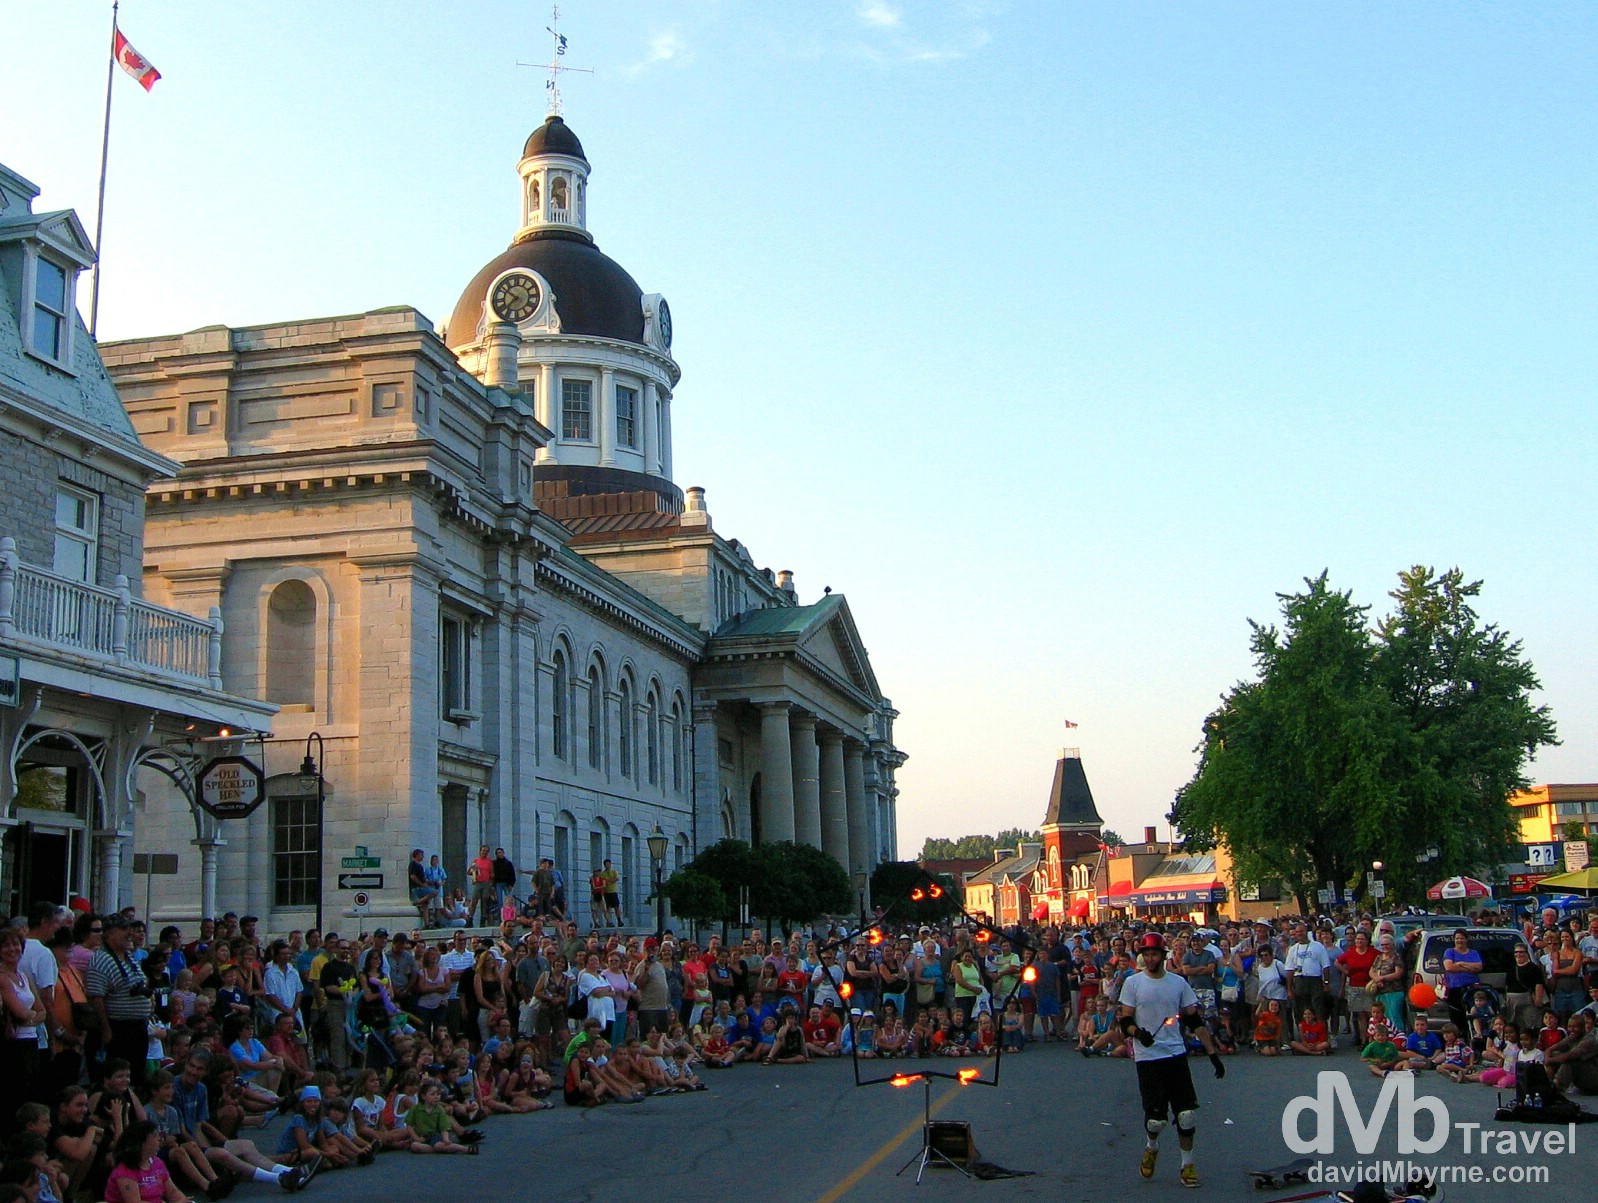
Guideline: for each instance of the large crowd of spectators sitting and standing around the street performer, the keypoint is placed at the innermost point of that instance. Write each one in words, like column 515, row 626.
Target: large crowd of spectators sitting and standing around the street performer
column 138, row 1068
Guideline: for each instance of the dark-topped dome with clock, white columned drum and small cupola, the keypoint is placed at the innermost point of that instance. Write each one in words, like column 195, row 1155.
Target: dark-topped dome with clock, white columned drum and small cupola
column 590, row 347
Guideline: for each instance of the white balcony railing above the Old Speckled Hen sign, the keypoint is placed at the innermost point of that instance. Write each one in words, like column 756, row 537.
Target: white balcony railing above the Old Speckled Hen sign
column 108, row 624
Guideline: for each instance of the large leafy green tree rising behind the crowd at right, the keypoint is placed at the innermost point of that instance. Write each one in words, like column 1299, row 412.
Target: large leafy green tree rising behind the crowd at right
column 1358, row 744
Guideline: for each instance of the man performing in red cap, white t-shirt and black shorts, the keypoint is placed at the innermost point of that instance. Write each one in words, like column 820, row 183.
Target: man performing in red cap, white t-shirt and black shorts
column 1155, row 1009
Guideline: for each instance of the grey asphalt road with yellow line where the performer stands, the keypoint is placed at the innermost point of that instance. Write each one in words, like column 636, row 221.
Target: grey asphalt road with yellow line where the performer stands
column 808, row 1134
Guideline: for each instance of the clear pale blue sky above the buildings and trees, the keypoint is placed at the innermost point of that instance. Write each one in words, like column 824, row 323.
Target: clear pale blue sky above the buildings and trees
column 1059, row 336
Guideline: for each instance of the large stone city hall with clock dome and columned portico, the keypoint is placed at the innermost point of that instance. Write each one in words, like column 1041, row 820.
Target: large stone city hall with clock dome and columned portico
column 463, row 562
